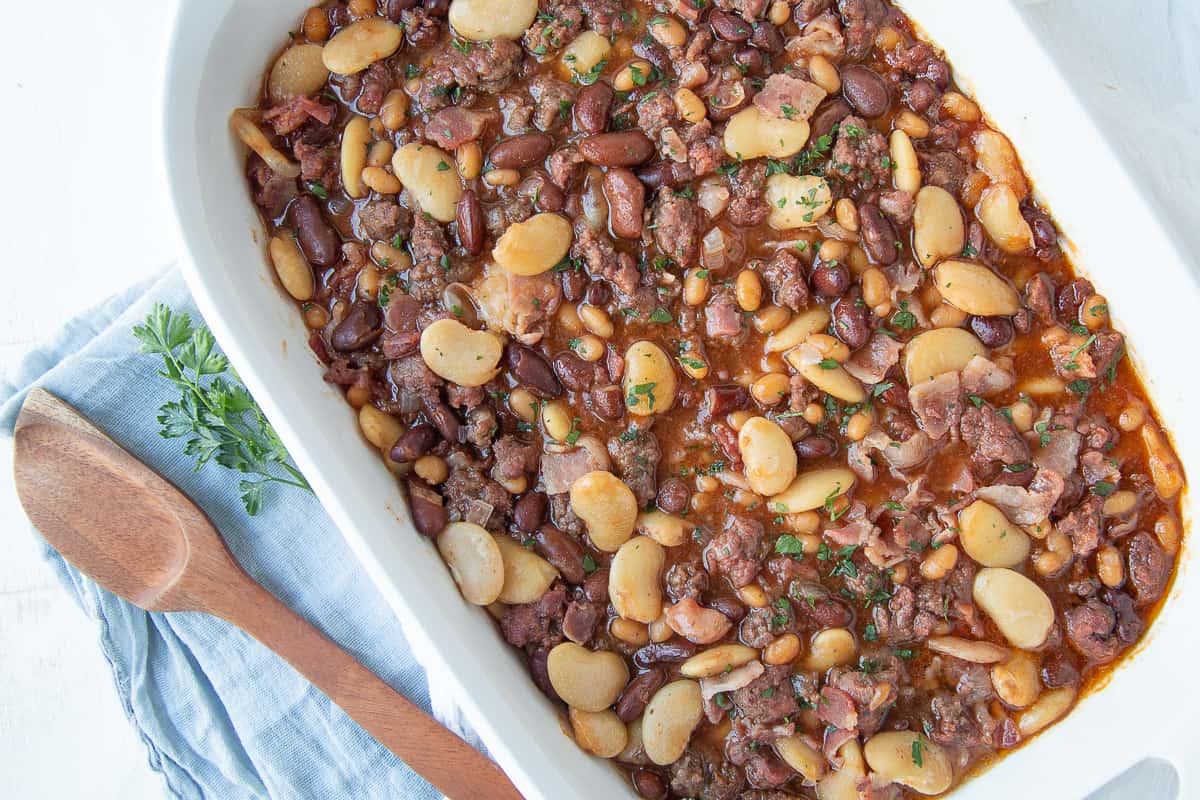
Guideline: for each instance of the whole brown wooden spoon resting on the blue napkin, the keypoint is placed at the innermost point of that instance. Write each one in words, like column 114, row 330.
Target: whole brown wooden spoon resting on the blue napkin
column 141, row 538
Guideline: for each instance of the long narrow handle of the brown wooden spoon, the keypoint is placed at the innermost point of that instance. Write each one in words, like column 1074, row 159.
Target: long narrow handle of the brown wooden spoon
column 452, row 766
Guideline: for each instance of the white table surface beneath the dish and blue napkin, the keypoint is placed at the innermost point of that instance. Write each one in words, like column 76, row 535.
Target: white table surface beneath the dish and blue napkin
column 85, row 212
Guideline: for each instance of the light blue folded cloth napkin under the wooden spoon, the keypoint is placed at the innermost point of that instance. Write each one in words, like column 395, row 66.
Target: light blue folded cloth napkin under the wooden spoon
column 224, row 718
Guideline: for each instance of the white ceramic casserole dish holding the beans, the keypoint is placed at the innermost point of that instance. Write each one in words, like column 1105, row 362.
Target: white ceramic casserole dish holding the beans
column 219, row 52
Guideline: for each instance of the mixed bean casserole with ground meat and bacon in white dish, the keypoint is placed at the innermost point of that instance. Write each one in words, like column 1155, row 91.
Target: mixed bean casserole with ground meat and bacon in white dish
column 728, row 360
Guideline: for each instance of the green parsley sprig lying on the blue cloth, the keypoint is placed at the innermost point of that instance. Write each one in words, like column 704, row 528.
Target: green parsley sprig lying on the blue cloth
column 214, row 413
